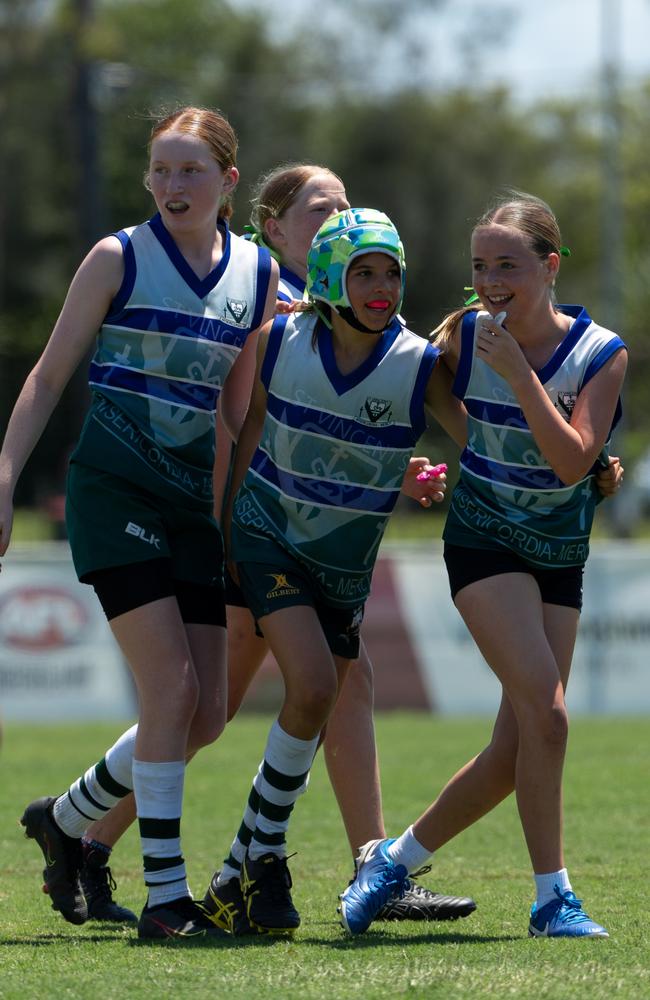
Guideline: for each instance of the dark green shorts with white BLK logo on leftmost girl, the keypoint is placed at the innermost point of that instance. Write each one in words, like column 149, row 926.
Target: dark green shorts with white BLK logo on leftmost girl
column 112, row 522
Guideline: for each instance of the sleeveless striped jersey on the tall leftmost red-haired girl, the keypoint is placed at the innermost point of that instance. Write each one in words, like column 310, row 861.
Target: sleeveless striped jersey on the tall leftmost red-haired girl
column 163, row 355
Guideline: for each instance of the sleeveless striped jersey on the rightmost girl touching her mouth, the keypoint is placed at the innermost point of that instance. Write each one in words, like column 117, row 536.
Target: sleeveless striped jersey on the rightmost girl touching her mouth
column 508, row 493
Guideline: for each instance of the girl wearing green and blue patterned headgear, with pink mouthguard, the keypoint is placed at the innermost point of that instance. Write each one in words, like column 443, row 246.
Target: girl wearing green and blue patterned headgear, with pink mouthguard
column 337, row 407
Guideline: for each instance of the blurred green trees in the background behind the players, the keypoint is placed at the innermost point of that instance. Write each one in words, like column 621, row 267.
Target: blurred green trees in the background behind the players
column 78, row 96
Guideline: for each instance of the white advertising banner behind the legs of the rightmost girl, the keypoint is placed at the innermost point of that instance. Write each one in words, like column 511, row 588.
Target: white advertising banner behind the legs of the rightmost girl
column 611, row 664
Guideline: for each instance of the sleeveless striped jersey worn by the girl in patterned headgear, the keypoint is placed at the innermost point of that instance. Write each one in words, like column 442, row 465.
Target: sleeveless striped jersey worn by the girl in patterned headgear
column 333, row 452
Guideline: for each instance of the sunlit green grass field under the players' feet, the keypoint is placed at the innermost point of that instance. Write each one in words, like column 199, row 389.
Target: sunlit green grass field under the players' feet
column 487, row 955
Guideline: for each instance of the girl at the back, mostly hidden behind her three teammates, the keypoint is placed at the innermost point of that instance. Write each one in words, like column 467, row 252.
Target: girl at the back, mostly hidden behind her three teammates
column 290, row 205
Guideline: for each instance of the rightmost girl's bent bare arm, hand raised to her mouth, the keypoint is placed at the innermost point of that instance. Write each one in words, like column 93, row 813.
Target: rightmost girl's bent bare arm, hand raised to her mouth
column 570, row 448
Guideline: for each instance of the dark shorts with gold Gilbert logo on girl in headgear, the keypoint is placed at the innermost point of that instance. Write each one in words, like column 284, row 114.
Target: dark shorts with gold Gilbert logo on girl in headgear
column 275, row 580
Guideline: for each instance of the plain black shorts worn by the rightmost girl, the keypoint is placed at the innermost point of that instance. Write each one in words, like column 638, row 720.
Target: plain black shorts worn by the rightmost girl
column 561, row 586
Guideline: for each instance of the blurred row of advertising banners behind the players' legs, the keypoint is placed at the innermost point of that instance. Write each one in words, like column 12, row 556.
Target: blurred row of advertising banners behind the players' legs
column 58, row 661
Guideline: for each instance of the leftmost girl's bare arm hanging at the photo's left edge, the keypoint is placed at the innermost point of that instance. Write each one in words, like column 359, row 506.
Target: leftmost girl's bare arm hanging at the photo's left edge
column 90, row 294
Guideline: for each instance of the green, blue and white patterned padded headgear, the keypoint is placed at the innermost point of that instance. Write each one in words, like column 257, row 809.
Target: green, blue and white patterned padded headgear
column 339, row 240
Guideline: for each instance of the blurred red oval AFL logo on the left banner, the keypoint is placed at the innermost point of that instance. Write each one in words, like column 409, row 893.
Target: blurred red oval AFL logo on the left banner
column 41, row 619
